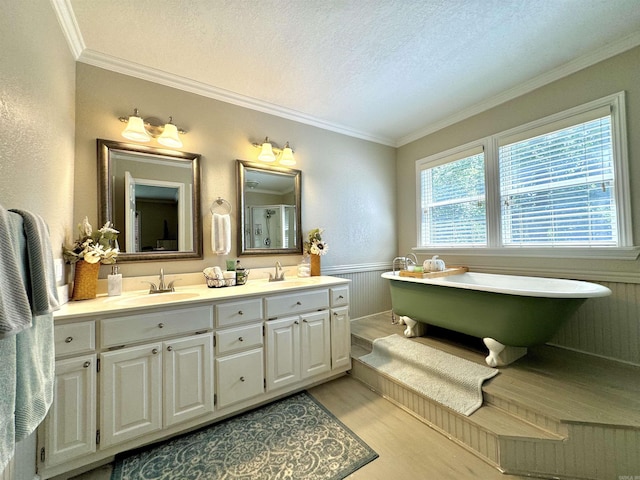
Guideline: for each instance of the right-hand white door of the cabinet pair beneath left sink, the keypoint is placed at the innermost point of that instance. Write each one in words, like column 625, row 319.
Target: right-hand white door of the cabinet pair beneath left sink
column 188, row 375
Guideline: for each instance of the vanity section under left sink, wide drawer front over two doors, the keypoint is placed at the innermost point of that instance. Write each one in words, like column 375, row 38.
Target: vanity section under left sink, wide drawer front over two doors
column 147, row 387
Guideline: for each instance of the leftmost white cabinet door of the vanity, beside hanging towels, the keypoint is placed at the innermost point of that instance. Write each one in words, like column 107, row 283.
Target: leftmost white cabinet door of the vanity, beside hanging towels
column 70, row 425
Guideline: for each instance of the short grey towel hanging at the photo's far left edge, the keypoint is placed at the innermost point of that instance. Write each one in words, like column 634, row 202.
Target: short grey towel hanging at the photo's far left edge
column 15, row 313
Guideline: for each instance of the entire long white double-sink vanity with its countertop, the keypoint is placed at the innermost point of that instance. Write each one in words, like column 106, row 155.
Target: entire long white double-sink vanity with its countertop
column 128, row 376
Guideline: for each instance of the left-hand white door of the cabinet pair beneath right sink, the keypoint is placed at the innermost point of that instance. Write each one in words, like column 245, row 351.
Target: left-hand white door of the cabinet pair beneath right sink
column 283, row 352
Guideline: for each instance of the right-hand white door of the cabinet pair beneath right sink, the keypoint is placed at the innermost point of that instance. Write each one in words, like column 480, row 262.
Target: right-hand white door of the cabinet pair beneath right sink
column 316, row 343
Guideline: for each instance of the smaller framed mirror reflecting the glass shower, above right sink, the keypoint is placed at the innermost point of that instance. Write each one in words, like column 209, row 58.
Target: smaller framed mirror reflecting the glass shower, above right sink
column 269, row 203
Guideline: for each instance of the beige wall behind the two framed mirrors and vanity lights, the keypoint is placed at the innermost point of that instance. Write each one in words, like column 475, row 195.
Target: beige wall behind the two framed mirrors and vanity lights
column 348, row 185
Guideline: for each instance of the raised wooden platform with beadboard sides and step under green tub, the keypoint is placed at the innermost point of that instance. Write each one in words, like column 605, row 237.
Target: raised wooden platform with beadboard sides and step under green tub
column 552, row 414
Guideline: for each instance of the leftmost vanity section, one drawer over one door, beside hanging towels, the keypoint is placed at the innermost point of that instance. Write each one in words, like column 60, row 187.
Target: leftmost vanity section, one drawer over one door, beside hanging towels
column 70, row 425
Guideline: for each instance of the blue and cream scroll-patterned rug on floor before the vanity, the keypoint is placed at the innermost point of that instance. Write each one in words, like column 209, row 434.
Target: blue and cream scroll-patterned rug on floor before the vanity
column 295, row 438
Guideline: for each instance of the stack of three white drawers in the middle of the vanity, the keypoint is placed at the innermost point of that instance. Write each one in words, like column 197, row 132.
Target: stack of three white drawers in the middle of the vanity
column 239, row 341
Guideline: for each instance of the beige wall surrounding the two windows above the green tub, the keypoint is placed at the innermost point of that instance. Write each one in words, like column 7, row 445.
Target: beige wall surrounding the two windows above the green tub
column 613, row 75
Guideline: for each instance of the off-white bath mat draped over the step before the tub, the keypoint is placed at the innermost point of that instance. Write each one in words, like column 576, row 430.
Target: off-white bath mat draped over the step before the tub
column 447, row 379
